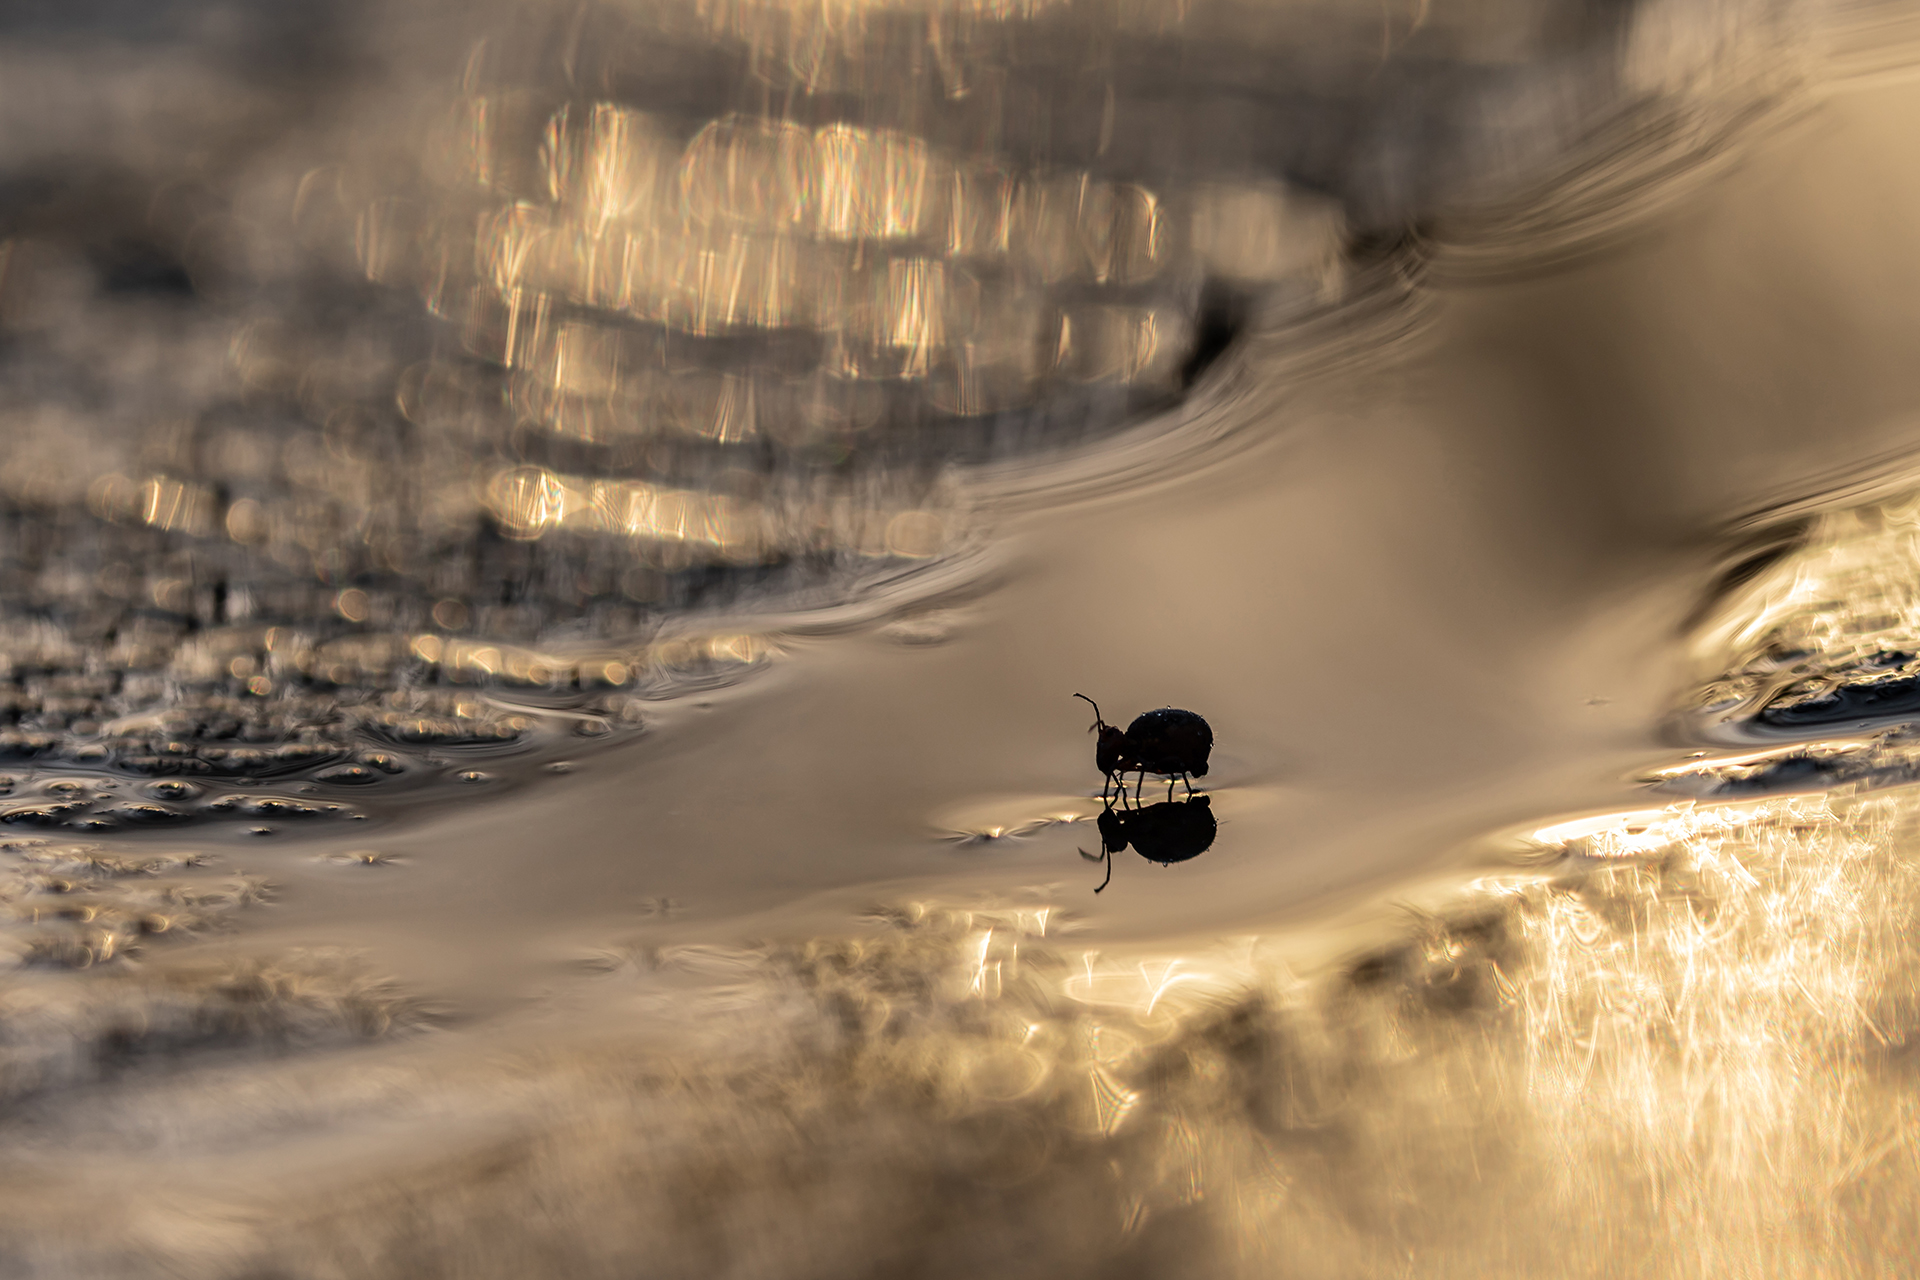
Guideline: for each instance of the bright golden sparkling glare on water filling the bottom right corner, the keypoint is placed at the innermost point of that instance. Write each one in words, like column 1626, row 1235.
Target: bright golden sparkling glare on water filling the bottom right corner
column 1675, row 1051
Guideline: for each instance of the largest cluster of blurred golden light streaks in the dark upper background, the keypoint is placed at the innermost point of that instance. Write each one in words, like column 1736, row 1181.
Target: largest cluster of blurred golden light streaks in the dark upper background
column 767, row 225
